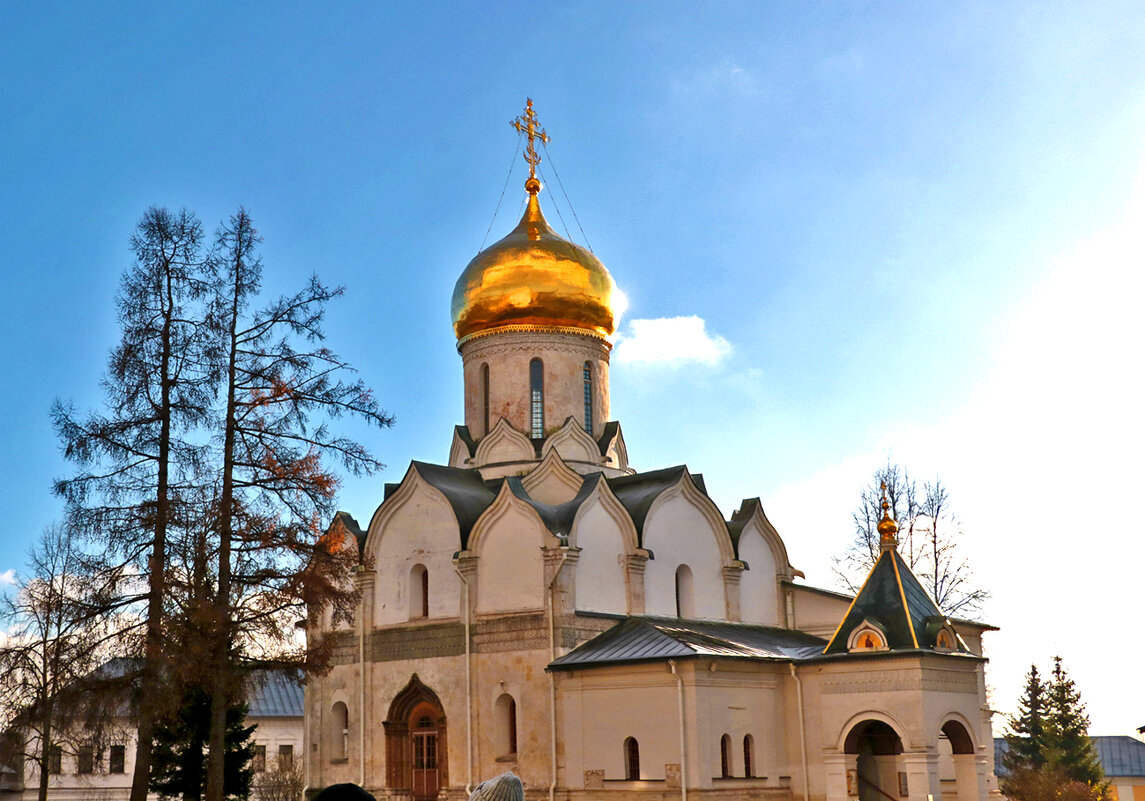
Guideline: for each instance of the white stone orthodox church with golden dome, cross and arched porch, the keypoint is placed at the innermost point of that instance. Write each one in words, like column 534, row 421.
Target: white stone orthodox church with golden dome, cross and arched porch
column 540, row 606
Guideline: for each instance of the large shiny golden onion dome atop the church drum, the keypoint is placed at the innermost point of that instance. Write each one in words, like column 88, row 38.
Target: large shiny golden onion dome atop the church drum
column 534, row 277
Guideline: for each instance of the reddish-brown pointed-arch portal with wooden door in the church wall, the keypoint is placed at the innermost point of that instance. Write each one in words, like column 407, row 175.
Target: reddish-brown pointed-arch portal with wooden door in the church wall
column 416, row 755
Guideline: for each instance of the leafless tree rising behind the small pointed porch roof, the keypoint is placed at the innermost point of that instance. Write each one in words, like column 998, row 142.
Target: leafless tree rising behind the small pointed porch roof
column 929, row 536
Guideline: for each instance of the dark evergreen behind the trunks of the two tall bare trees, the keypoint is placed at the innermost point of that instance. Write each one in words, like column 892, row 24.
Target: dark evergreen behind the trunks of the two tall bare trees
column 179, row 754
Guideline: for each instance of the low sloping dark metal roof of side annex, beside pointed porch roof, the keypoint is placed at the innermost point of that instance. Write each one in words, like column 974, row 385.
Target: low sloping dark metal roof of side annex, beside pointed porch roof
column 656, row 639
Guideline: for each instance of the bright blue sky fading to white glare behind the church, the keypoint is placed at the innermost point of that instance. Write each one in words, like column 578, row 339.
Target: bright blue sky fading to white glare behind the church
column 906, row 231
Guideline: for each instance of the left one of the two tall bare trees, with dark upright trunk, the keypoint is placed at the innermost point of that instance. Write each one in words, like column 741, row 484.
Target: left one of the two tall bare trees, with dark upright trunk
column 137, row 458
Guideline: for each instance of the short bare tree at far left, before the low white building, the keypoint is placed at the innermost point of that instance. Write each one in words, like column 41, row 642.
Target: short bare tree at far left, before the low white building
column 58, row 635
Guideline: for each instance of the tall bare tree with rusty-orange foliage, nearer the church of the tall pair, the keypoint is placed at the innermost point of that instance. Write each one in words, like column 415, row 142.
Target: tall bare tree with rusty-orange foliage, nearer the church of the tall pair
column 275, row 560
